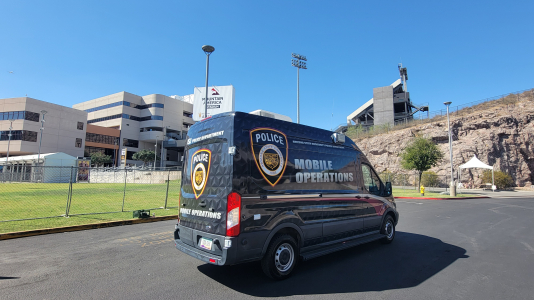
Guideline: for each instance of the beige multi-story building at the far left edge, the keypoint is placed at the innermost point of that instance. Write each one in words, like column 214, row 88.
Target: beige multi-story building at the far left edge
column 64, row 128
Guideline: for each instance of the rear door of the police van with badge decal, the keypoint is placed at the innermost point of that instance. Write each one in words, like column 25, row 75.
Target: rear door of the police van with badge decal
column 206, row 179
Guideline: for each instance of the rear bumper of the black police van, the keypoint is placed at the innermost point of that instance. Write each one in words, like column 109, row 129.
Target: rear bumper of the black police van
column 227, row 256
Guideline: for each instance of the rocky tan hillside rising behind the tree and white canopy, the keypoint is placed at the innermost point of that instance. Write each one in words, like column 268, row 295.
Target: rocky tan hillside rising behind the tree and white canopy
column 502, row 136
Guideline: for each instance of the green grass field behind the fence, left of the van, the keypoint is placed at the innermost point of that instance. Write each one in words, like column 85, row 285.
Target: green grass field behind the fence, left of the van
column 39, row 200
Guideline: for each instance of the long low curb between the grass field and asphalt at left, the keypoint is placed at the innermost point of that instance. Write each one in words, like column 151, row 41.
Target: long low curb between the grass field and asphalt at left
column 19, row 234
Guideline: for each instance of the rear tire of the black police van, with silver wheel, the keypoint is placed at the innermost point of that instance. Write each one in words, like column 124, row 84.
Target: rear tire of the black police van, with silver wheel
column 281, row 257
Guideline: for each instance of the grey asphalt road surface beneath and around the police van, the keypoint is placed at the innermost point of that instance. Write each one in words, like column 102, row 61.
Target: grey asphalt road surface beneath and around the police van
column 461, row 249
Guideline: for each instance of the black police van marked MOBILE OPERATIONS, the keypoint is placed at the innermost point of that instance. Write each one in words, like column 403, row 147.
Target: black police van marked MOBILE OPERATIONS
column 257, row 188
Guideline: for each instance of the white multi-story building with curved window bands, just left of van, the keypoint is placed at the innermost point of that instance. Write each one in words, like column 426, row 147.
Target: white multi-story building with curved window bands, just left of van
column 144, row 122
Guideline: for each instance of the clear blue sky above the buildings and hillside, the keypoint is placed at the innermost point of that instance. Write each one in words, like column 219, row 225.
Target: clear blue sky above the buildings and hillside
column 67, row 52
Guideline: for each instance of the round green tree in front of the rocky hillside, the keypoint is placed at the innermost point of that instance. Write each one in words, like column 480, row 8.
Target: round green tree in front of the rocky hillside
column 421, row 155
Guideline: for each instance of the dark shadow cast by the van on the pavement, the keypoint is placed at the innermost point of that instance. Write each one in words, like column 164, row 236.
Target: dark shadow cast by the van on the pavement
column 407, row 262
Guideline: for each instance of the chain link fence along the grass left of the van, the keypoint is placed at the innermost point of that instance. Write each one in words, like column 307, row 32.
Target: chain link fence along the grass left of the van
column 36, row 197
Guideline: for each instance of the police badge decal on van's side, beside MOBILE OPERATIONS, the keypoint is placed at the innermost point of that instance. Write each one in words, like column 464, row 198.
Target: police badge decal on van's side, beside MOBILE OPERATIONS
column 269, row 147
